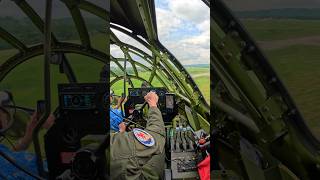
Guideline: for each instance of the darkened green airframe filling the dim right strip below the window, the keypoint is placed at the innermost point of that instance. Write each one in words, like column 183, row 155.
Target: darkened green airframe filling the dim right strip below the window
column 259, row 132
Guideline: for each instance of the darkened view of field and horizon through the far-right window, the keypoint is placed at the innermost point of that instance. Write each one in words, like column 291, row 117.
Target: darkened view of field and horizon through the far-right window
column 288, row 32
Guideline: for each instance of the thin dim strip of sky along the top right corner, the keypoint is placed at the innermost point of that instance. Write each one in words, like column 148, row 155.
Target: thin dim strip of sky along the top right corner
column 271, row 4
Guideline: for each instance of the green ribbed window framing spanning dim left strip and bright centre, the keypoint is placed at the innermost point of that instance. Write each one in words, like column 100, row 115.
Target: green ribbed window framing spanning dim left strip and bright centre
column 136, row 19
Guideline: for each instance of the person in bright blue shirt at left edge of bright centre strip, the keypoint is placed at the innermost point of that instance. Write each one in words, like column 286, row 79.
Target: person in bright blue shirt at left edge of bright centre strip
column 116, row 116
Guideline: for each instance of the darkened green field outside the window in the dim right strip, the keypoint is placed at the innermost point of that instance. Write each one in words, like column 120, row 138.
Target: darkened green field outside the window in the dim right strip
column 297, row 63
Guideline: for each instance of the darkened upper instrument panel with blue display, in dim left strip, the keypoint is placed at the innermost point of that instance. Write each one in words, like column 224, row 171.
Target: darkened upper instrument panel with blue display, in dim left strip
column 84, row 104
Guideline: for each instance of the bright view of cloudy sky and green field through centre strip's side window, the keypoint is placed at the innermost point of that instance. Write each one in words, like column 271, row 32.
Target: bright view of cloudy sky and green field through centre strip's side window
column 184, row 28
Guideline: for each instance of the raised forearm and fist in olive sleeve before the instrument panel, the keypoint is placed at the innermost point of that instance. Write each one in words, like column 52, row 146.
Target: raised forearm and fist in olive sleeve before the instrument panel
column 155, row 122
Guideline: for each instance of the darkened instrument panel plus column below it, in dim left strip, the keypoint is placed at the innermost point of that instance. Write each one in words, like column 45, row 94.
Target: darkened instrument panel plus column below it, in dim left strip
column 82, row 111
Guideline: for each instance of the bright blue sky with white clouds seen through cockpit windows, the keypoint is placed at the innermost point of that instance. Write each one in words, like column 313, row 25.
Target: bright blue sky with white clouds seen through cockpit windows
column 183, row 28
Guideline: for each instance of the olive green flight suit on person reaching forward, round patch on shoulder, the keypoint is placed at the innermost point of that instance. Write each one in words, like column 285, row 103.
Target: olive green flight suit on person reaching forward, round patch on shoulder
column 131, row 160
